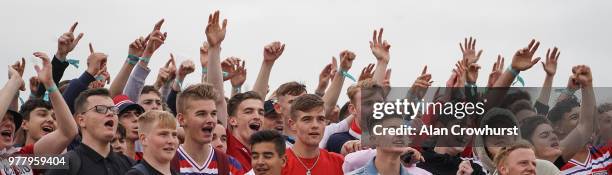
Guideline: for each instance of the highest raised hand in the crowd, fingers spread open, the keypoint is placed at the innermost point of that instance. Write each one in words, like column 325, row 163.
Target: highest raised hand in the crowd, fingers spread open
column 215, row 33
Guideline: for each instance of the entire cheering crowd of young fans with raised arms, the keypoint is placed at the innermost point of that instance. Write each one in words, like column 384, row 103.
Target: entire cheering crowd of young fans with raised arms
column 127, row 127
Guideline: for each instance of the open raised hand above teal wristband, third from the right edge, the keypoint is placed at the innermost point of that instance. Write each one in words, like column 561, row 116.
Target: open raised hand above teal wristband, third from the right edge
column 523, row 58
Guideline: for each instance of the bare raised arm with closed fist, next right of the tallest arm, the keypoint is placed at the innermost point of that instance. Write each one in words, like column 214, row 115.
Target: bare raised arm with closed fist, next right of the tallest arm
column 271, row 53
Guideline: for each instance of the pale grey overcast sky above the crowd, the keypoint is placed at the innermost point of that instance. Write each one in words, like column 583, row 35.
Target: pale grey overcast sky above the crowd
column 420, row 32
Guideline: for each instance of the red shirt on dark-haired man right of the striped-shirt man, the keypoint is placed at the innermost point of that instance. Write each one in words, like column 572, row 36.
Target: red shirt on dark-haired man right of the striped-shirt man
column 238, row 151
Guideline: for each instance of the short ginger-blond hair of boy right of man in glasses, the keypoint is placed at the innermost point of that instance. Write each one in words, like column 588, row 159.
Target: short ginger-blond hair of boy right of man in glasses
column 164, row 120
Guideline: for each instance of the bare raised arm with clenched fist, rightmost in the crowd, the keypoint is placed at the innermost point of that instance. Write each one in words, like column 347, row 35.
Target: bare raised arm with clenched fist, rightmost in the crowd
column 581, row 135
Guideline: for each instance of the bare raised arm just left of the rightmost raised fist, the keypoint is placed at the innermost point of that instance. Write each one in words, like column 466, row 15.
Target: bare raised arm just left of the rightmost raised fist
column 550, row 67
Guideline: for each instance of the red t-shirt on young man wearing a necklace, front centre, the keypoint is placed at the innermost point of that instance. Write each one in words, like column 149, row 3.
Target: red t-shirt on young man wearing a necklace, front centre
column 329, row 163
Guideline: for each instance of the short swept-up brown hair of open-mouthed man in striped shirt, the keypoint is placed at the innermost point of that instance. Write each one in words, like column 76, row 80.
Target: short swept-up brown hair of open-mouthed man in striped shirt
column 195, row 92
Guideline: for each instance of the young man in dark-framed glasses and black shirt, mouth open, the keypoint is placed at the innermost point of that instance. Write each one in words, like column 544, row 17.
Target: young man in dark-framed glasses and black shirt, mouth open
column 96, row 116
